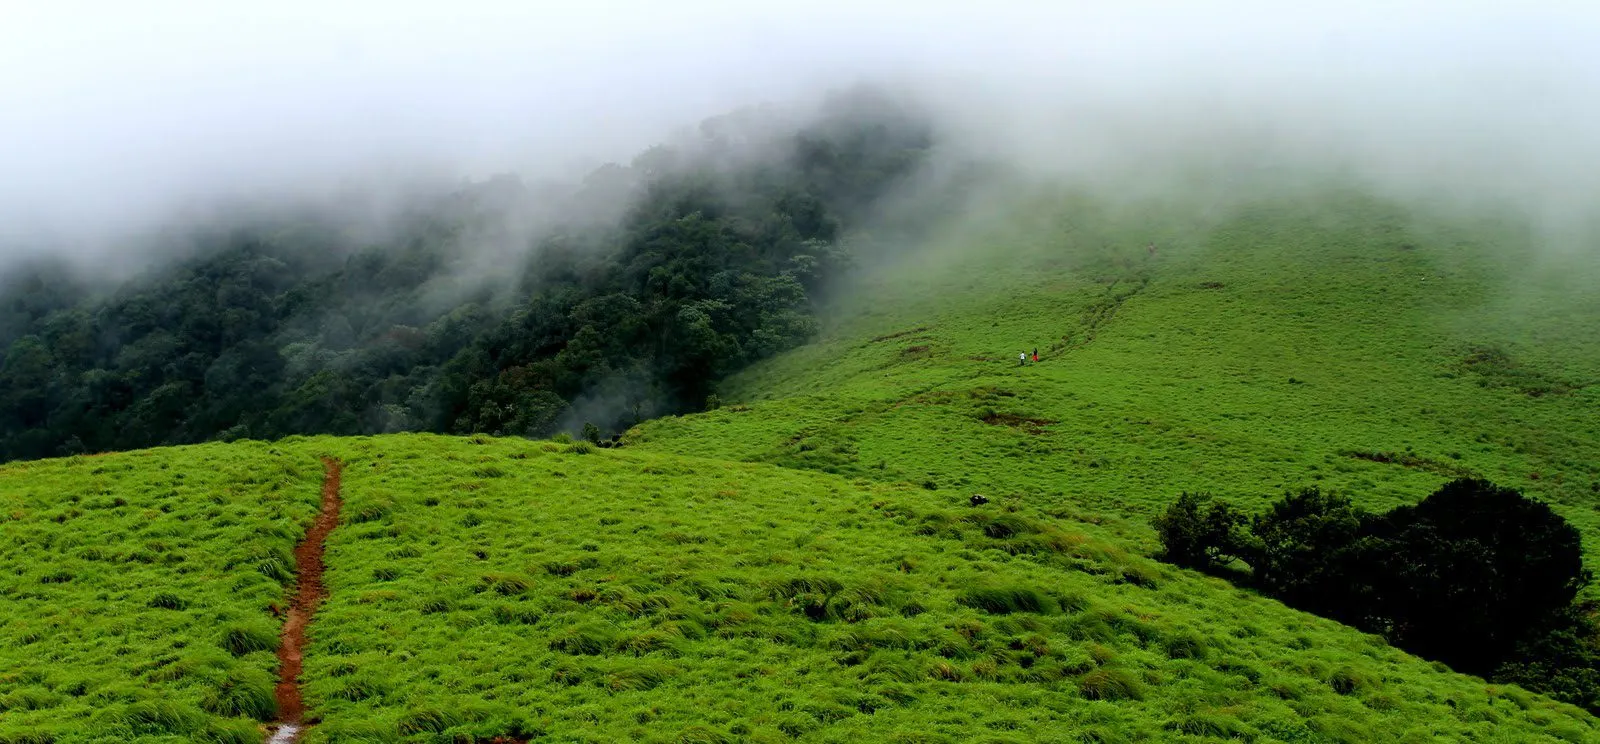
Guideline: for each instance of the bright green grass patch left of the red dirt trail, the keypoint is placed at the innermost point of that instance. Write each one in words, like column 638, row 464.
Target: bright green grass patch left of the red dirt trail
column 138, row 593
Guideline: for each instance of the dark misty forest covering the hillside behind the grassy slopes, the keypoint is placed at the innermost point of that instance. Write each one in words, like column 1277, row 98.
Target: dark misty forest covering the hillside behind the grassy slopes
column 487, row 308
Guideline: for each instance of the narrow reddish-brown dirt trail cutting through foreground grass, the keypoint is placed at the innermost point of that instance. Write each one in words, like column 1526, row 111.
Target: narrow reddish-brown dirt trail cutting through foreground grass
column 308, row 594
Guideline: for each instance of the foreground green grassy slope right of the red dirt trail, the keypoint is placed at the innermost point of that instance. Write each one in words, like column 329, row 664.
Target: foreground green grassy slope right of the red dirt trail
column 505, row 588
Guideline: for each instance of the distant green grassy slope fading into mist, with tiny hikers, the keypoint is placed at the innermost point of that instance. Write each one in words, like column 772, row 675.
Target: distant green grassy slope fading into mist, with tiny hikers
column 1338, row 342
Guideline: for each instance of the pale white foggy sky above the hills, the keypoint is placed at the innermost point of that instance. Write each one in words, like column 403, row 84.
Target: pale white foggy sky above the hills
column 113, row 111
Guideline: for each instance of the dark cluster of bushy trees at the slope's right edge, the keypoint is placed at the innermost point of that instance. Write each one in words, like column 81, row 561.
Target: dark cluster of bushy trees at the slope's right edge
column 1476, row 575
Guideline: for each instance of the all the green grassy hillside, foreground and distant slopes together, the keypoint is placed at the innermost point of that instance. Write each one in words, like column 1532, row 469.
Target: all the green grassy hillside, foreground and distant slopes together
column 804, row 564
